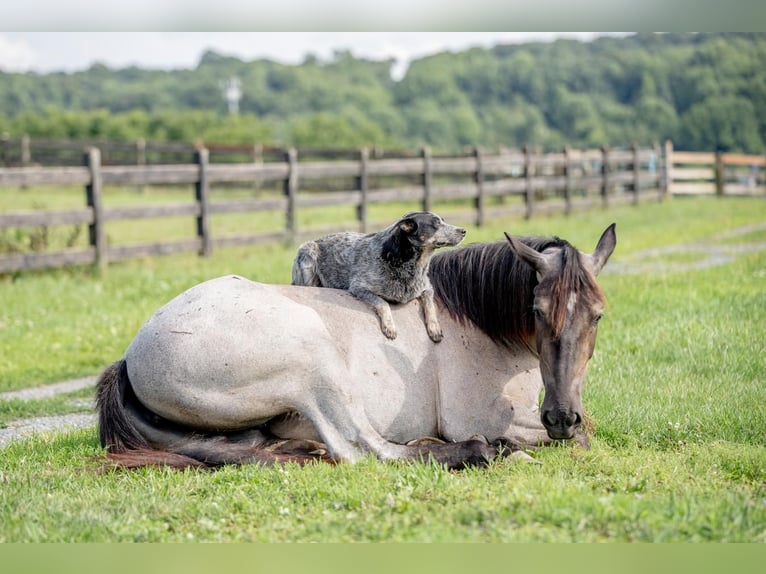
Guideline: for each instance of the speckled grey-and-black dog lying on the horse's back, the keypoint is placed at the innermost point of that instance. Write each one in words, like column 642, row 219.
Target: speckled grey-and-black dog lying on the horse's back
column 378, row 268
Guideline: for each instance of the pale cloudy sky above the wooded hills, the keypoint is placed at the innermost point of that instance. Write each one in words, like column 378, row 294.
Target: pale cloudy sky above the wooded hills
column 72, row 51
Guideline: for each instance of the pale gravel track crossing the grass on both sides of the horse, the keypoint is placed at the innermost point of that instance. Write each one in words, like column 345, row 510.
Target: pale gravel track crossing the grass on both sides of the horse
column 716, row 250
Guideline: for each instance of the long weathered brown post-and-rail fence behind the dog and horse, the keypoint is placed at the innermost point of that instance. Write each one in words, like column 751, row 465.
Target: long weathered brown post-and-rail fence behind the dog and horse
column 488, row 185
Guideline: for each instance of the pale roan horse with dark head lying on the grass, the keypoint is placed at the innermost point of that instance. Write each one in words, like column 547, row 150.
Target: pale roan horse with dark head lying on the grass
column 231, row 367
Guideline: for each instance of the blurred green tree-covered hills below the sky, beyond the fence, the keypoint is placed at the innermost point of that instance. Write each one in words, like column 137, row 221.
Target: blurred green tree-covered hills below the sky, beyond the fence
column 704, row 91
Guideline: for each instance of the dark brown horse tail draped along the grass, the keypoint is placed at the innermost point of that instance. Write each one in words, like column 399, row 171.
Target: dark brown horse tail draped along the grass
column 135, row 437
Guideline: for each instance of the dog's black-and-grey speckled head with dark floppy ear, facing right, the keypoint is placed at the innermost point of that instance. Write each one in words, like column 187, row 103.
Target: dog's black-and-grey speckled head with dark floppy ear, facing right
column 416, row 233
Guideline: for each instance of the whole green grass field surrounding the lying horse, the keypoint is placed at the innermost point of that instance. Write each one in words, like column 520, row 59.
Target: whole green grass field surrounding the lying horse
column 677, row 390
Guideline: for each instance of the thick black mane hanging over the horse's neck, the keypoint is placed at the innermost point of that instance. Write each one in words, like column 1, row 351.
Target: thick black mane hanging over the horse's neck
column 489, row 286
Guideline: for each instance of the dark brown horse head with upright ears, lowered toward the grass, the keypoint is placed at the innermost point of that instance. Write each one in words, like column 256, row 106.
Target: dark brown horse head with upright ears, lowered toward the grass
column 568, row 305
